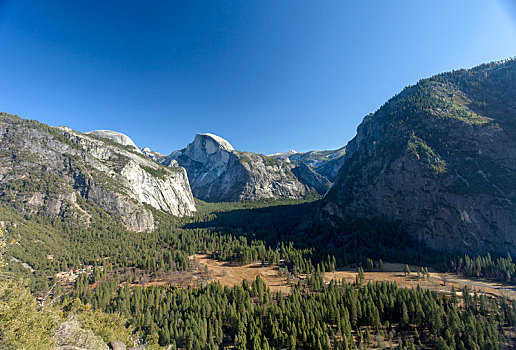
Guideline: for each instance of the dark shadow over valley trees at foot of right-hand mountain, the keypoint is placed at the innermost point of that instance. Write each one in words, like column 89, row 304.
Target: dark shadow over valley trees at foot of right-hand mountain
column 352, row 240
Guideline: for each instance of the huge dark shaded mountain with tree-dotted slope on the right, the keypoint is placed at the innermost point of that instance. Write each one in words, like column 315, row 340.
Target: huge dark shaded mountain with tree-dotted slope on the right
column 439, row 159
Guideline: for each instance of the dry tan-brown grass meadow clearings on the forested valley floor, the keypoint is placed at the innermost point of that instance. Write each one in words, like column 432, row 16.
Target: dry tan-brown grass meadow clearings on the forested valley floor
column 206, row 269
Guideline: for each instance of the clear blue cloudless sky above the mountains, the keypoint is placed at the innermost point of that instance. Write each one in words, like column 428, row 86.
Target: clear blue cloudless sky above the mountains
column 267, row 75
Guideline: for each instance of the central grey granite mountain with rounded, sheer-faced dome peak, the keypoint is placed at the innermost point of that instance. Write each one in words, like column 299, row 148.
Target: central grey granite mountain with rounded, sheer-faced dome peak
column 219, row 173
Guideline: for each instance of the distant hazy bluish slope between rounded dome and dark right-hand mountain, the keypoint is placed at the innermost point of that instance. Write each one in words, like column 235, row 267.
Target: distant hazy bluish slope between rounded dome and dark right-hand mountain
column 325, row 163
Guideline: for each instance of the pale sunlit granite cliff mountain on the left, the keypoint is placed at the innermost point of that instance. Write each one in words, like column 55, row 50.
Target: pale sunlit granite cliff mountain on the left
column 53, row 170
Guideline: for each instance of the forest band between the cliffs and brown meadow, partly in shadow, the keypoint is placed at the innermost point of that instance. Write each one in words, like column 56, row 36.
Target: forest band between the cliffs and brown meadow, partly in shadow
column 238, row 232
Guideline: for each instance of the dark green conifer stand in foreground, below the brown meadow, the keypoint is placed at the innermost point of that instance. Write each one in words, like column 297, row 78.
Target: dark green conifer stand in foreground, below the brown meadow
column 320, row 317
